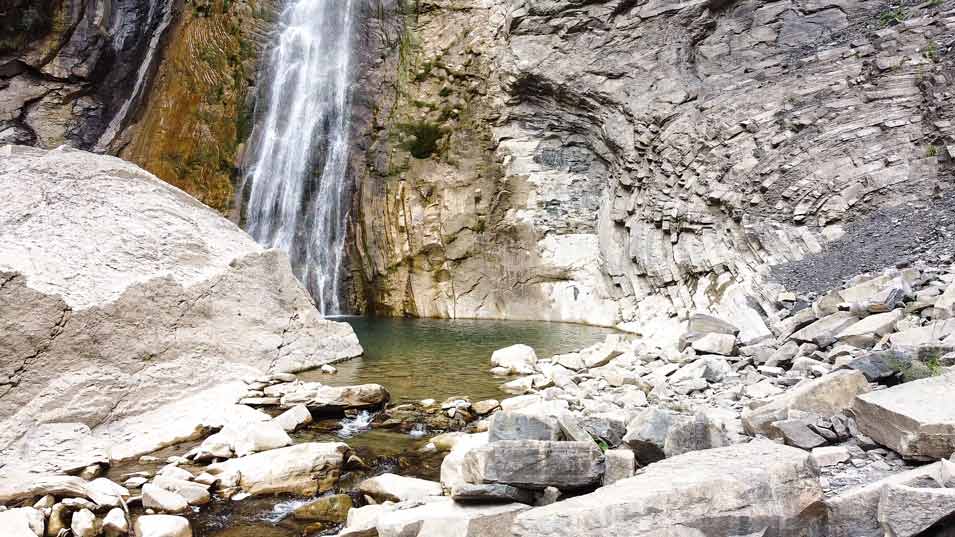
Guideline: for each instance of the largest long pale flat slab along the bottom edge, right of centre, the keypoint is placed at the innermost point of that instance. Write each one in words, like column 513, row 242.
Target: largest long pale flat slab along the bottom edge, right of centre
column 737, row 490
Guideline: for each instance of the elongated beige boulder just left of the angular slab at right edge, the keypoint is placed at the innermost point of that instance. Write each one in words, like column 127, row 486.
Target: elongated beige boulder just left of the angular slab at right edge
column 824, row 396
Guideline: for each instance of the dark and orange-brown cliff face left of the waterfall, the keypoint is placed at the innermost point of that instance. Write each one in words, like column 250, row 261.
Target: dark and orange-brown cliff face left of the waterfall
column 163, row 83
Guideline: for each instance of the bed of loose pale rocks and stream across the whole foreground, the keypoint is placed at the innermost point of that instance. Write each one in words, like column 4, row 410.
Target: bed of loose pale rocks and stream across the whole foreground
column 840, row 425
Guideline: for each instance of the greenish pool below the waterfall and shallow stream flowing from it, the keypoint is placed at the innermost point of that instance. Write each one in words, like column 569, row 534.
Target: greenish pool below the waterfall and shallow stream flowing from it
column 414, row 359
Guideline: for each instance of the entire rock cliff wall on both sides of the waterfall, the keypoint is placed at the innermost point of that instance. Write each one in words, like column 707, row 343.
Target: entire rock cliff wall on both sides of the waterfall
column 611, row 162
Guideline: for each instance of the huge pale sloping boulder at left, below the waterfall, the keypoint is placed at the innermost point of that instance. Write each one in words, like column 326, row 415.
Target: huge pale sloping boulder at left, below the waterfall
column 120, row 293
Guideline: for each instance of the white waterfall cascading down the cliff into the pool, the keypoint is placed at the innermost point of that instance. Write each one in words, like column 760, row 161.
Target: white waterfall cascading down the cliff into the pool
column 297, row 180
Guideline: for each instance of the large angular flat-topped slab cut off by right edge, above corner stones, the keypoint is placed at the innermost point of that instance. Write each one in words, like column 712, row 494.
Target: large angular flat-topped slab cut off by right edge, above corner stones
column 915, row 419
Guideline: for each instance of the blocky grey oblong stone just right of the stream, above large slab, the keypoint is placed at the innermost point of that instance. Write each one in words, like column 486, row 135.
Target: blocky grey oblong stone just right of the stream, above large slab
column 535, row 464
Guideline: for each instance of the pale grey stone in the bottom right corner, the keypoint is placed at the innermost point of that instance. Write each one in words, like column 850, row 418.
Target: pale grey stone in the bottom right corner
column 908, row 511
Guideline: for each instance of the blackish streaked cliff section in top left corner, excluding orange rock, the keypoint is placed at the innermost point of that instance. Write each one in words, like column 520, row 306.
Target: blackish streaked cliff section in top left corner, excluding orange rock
column 72, row 71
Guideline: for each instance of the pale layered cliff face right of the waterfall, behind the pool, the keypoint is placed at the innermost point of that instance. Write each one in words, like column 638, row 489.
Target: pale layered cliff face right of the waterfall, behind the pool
column 629, row 162
